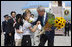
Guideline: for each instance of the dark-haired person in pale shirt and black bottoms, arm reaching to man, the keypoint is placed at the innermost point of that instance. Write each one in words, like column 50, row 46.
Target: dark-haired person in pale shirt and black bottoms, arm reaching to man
column 27, row 29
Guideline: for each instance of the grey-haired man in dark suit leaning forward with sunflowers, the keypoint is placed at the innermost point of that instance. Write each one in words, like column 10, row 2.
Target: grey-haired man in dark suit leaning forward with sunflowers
column 49, row 34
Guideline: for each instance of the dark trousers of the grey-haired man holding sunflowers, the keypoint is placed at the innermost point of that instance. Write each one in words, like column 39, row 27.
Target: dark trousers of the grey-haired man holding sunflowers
column 44, row 38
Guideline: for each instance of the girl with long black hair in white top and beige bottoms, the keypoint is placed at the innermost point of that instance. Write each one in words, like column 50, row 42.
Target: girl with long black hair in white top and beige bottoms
column 18, row 30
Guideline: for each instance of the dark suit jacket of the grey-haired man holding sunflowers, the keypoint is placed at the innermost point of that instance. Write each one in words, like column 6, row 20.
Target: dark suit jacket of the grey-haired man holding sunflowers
column 40, row 19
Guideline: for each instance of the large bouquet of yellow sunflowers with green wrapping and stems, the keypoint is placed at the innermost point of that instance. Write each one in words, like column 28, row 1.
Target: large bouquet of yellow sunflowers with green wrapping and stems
column 58, row 22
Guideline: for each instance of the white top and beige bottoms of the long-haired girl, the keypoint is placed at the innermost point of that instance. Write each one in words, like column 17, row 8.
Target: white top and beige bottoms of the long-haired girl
column 18, row 36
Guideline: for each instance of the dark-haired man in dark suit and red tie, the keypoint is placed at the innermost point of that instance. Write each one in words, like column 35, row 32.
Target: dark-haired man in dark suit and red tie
column 11, row 24
